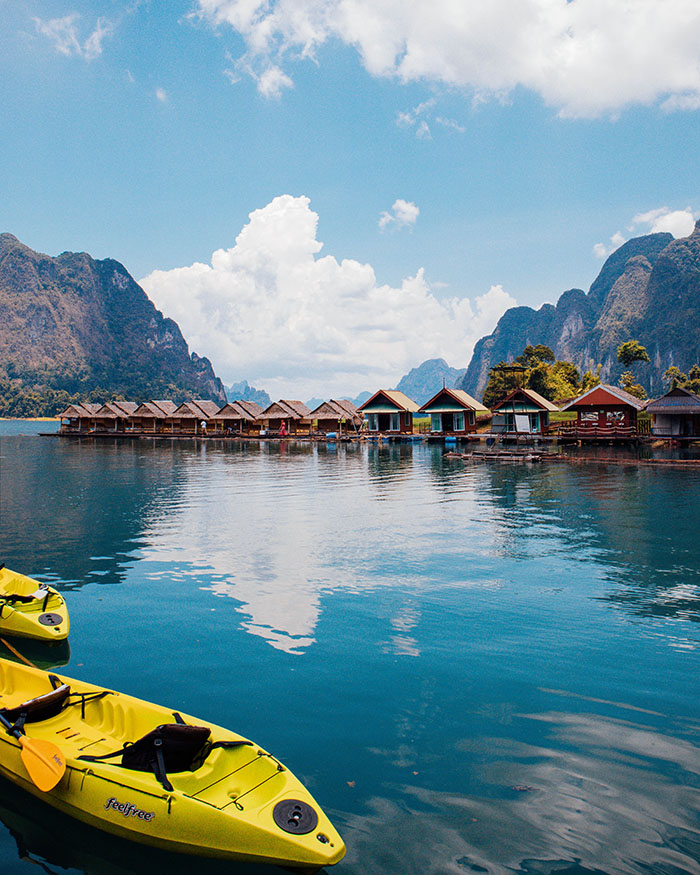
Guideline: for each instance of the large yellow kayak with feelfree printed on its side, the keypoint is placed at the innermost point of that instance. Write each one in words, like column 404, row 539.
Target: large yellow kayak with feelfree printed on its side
column 151, row 775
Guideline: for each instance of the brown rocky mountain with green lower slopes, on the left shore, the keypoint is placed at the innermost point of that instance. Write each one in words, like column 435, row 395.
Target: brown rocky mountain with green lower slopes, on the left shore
column 75, row 324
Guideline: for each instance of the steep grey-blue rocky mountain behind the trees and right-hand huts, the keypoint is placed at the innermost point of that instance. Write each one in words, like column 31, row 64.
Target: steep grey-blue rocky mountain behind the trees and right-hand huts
column 648, row 290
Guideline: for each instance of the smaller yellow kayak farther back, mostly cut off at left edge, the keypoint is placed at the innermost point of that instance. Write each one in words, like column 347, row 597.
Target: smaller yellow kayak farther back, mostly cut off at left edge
column 31, row 609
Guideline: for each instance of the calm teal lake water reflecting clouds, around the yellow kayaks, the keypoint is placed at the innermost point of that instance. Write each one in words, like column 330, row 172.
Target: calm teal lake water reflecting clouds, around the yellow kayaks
column 473, row 668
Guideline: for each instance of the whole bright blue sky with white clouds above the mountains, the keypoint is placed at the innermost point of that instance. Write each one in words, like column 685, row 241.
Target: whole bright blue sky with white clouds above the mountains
column 452, row 160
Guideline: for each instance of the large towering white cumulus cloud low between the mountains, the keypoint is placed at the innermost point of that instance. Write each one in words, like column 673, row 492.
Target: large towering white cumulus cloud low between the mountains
column 272, row 310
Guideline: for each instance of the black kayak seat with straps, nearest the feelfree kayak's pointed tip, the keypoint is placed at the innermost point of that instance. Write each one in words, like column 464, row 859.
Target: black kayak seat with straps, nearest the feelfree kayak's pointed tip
column 171, row 747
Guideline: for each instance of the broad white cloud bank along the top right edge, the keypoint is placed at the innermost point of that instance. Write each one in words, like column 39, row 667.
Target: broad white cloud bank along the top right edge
column 582, row 58
